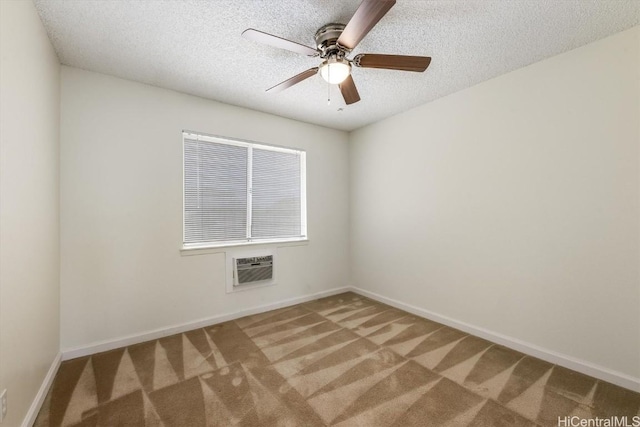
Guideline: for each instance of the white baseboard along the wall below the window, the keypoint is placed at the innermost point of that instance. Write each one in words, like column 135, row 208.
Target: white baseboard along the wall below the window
column 107, row 345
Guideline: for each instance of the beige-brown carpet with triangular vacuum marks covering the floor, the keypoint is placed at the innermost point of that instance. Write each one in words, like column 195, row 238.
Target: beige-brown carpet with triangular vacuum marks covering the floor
column 342, row 360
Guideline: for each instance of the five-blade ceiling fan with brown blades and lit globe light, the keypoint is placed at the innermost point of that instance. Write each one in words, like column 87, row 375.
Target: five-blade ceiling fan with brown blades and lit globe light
column 334, row 42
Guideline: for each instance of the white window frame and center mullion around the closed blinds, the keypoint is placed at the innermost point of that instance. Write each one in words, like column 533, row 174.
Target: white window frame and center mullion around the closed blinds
column 199, row 136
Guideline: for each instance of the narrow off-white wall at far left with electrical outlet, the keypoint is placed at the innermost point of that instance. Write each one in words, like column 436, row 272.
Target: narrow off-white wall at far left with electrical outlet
column 29, row 244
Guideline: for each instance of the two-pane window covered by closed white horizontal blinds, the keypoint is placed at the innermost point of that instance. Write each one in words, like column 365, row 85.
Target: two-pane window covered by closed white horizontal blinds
column 237, row 192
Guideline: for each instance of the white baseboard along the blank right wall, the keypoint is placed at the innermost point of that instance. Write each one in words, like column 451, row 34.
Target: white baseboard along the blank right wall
column 569, row 362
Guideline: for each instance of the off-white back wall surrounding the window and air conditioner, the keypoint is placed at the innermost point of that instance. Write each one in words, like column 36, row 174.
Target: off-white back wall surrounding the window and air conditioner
column 121, row 210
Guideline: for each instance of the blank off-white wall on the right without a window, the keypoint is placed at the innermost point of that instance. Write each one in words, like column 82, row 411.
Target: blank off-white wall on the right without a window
column 514, row 205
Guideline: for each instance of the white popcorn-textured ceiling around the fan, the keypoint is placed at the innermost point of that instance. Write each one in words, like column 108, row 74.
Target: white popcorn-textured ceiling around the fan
column 195, row 47
